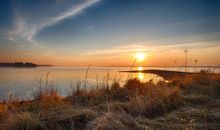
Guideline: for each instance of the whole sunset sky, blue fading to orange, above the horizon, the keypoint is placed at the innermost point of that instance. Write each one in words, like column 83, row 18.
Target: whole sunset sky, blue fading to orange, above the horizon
column 110, row 32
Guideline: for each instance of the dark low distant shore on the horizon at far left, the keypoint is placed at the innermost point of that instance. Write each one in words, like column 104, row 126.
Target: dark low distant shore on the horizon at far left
column 22, row 65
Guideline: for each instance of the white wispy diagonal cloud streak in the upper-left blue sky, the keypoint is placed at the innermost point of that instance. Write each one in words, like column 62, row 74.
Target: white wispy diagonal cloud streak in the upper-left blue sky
column 25, row 30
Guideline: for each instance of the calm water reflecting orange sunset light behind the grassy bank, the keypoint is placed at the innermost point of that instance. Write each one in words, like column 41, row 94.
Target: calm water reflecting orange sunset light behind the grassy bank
column 24, row 82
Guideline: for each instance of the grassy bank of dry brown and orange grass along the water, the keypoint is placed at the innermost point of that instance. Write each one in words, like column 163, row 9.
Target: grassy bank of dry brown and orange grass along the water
column 187, row 102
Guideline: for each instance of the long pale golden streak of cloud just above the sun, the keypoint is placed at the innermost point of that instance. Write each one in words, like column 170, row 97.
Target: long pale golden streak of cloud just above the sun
column 156, row 46
